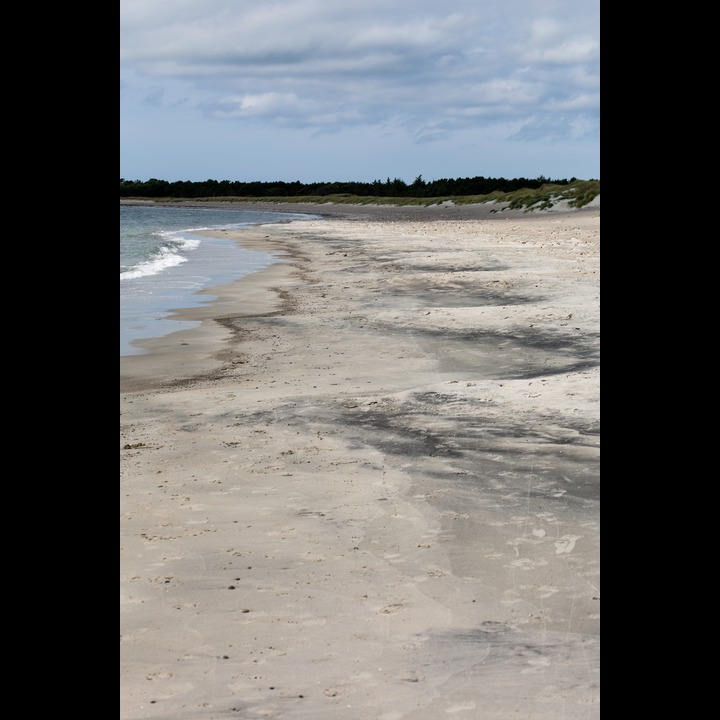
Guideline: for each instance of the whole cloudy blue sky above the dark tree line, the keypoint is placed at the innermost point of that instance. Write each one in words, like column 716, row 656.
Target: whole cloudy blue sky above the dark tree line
column 333, row 90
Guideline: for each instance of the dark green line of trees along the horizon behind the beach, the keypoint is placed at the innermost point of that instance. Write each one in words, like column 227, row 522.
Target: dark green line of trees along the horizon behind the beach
column 154, row 188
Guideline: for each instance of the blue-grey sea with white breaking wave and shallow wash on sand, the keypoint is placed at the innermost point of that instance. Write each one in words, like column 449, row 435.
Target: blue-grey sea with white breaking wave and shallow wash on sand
column 164, row 263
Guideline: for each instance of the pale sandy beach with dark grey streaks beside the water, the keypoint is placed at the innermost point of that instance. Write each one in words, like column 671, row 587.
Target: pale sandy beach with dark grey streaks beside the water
column 367, row 485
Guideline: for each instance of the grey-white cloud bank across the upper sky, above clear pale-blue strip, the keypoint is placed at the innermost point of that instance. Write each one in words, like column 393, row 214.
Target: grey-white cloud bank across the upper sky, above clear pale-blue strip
column 425, row 67
